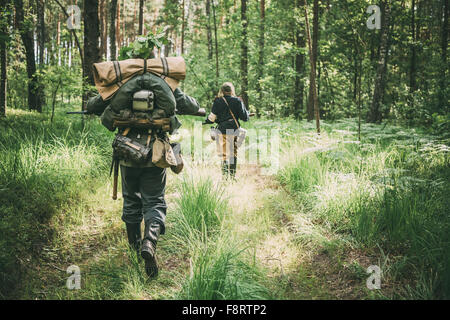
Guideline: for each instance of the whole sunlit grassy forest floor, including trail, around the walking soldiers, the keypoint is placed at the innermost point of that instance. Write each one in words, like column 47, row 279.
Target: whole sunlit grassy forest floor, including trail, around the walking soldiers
column 308, row 231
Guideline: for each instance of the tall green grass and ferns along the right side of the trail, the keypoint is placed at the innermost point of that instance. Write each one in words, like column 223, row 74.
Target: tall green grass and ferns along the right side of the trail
column 392, row 192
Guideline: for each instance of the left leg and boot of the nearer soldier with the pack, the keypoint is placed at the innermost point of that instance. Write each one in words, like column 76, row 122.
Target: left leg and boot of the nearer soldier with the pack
column 132, row 204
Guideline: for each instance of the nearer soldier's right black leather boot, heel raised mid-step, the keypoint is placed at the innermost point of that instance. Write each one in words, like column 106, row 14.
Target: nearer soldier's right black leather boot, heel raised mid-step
column 148, row 251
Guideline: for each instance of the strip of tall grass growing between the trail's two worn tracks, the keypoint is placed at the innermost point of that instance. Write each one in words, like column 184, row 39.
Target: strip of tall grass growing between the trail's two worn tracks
column 219, row 266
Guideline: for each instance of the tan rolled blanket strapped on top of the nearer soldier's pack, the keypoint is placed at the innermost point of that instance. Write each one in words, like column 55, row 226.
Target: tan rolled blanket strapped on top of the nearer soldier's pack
column 109, row 76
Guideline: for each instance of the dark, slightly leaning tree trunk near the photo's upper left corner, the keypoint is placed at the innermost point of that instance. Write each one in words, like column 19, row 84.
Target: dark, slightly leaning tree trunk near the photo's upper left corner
column 27, row 38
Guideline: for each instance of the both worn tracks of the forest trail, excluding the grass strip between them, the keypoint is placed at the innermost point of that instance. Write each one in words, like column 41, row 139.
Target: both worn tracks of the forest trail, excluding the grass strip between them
column 265, row 218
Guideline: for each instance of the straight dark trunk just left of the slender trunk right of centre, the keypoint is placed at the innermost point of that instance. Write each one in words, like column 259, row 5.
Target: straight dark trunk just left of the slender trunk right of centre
column 299, row 69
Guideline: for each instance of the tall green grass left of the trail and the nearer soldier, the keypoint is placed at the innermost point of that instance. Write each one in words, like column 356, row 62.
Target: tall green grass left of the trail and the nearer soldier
column 42, row 166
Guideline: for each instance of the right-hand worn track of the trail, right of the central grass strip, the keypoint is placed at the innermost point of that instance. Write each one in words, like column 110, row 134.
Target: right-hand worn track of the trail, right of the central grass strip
column 297, row 253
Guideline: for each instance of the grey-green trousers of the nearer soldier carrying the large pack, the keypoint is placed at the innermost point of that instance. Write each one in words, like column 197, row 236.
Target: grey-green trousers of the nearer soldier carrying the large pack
column 143, row 191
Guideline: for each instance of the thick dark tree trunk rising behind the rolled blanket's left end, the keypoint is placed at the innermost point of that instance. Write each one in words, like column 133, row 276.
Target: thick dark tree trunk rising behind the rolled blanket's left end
column 91, row 41
